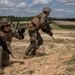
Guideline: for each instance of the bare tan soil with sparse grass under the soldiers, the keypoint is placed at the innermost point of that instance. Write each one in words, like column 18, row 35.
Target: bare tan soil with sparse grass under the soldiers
column 54, row 57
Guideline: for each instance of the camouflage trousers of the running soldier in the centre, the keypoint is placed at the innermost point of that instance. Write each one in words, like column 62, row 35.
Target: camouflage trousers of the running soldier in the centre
column 35, row 41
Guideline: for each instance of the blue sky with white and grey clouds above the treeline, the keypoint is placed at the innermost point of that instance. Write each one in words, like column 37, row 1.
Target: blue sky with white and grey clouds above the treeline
column 59, row 8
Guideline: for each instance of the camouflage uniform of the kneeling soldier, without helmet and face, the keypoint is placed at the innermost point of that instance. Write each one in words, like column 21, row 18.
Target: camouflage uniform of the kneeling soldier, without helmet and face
column 7, row 36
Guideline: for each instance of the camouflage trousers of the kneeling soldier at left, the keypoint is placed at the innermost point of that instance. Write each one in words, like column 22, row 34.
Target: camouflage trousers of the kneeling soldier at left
column 4, row 57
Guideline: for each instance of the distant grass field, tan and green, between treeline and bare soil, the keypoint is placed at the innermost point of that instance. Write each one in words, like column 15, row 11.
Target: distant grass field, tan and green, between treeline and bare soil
column 56, row 25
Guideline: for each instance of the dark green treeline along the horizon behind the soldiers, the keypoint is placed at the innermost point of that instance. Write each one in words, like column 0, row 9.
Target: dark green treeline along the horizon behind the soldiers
column 14, row 18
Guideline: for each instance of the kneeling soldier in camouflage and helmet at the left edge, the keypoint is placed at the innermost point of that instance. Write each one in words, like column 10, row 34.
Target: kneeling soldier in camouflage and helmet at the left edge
column 6, row 33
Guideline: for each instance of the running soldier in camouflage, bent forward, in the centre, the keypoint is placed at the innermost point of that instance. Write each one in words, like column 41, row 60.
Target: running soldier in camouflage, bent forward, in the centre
column 38, row 22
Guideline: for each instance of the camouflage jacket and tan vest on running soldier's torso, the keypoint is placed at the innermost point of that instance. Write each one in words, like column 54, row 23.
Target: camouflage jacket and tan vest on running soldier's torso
column 38, row 20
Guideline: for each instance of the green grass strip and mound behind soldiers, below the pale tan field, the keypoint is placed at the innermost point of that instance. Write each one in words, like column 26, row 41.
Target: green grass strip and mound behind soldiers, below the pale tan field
column 54, row 26
